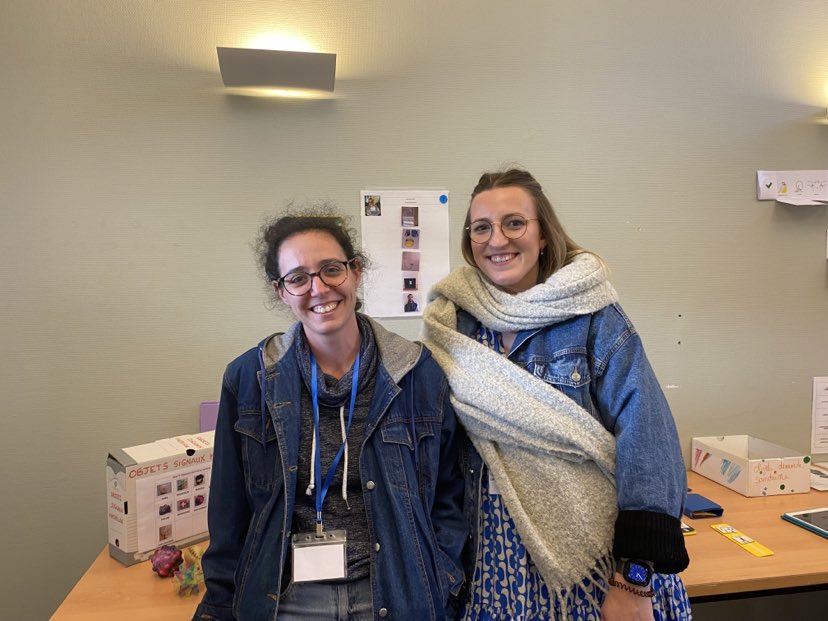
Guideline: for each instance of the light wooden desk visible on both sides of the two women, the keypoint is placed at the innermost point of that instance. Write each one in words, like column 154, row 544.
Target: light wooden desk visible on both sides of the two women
column 718, row 567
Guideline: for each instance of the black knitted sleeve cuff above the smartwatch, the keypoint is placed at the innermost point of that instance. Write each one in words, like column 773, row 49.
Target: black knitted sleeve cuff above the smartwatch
column 650, row 536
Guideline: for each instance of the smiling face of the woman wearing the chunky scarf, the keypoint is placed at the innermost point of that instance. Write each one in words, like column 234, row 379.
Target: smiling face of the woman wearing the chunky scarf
column 511, row 264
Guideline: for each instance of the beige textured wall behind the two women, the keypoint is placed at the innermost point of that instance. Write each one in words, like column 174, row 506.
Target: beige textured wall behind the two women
column 131, row 187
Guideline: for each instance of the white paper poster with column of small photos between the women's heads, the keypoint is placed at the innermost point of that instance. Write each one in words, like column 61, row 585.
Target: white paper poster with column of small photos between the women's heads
column 406, row 235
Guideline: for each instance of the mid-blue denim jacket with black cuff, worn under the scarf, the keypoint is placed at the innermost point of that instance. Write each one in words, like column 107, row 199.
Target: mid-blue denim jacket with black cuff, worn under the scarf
column 598, row 361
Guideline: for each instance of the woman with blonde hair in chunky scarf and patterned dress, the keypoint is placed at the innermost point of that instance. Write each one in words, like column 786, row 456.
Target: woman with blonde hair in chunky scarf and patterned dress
column 575, row 480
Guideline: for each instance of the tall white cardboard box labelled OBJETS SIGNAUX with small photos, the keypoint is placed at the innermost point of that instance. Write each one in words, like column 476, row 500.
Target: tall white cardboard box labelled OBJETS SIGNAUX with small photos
column 157, row 494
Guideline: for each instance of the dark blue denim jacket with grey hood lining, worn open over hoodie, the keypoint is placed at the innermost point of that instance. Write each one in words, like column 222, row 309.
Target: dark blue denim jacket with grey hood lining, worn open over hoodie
column 414, row 518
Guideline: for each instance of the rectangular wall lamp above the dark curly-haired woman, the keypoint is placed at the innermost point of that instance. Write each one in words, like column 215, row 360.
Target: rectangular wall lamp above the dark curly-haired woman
column 276, row 69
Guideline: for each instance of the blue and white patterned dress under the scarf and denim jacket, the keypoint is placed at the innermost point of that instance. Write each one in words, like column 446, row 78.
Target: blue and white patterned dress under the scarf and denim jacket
column 507, row 586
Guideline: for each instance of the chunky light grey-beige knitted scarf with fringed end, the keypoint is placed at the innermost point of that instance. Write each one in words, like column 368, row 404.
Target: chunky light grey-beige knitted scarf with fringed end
column 553, row 462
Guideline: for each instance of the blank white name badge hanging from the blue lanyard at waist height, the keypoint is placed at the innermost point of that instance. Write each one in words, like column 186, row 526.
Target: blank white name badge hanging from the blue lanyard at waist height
column 316, row 559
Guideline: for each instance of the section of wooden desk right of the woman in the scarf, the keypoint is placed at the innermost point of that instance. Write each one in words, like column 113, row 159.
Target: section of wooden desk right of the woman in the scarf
column 720, row 567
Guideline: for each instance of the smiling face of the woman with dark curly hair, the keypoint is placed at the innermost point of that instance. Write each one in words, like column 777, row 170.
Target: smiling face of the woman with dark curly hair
column 325, row 312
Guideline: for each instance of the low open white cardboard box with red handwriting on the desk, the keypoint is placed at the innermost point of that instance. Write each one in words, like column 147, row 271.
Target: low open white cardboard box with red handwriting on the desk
column 751, row 466
